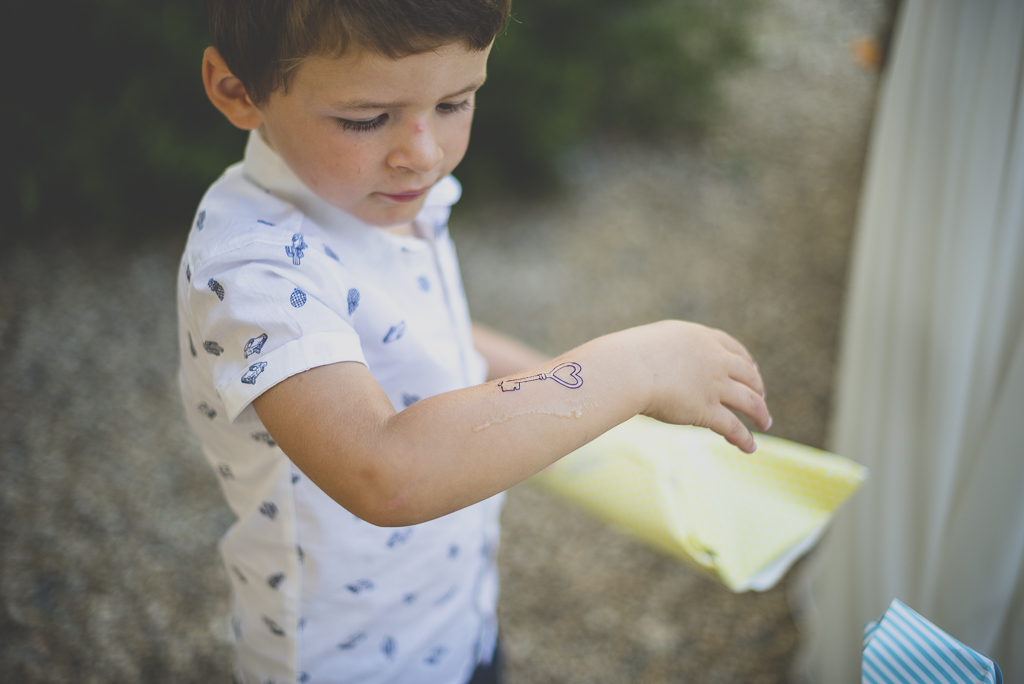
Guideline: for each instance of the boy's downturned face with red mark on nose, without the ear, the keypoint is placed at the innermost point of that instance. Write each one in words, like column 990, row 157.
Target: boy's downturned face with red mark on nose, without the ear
column 370, row 135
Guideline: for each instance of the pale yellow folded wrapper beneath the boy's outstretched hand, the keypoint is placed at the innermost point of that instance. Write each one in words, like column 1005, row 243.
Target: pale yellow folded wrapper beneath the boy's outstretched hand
column 743, row 518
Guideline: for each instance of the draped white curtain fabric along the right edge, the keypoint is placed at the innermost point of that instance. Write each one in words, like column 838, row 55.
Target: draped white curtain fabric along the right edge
column 931, row 386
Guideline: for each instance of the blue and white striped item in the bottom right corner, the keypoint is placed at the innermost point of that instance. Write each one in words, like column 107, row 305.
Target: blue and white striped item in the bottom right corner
column 906, row 648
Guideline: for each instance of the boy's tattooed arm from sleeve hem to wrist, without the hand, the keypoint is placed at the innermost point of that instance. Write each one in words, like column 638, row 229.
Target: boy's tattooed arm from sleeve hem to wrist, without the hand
column 456, row 449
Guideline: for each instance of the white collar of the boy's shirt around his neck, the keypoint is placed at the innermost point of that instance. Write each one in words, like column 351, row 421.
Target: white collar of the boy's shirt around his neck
column 266, row 167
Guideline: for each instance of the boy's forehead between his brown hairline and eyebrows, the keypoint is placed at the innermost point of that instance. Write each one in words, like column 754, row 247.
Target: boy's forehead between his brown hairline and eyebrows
column 364, row 79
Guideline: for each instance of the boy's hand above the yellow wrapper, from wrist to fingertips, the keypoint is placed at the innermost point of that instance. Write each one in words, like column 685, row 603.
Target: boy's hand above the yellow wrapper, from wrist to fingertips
column 700, row 376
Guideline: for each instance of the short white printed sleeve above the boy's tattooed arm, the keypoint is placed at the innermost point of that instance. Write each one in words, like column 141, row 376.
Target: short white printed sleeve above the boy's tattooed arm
column 268, row 310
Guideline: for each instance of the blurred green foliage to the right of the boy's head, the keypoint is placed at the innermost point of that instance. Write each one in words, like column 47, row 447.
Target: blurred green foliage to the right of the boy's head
column 566, row 70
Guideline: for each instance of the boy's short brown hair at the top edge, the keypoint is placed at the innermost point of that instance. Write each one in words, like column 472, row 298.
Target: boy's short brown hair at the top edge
column 263, row 41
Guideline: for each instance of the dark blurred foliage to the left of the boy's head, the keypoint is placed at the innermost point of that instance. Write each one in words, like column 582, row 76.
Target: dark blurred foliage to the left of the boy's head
column 110, row 120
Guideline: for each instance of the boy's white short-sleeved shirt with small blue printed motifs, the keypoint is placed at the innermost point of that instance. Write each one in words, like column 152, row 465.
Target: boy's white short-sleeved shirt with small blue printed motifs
column 274, row 282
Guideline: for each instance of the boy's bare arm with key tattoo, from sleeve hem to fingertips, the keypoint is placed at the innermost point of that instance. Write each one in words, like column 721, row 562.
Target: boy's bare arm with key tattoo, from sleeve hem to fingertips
column 456, row 449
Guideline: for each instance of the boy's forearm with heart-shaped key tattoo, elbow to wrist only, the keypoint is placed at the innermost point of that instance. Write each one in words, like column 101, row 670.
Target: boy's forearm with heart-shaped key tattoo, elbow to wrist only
column 483, row 441
